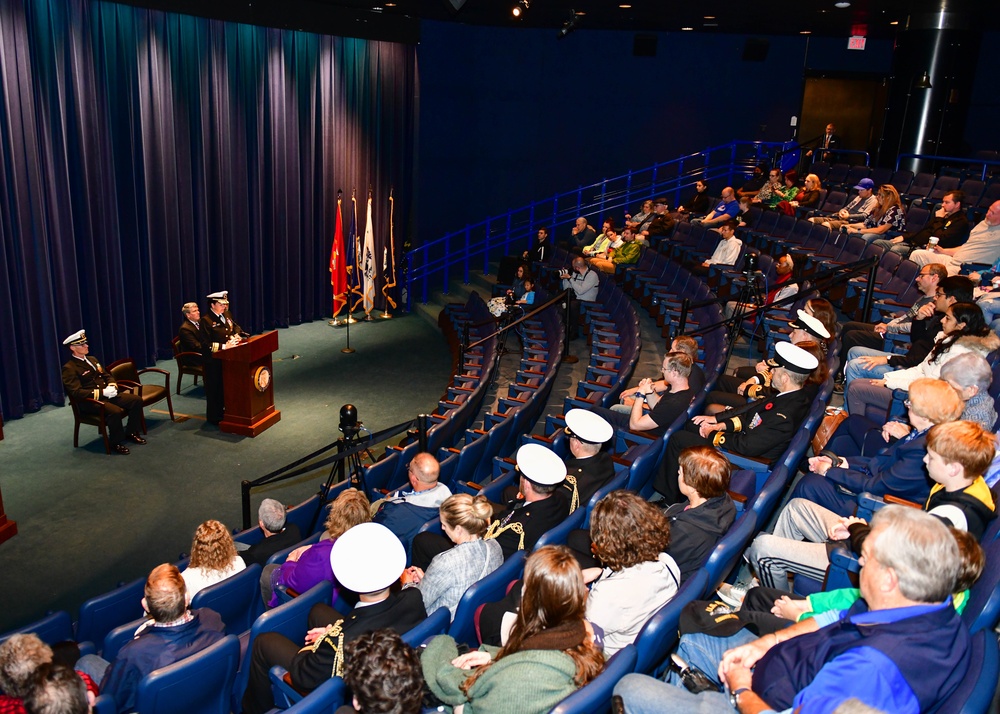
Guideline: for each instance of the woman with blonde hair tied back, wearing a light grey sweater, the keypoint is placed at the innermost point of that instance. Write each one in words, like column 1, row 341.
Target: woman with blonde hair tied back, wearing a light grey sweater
column 464, row 519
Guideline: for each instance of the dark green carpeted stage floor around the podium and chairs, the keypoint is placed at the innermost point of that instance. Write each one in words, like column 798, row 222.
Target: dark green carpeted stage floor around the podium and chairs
column 87, row 521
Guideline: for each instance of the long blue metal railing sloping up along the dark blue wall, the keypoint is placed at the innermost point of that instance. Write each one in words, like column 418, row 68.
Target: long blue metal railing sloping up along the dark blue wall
column 436, row 262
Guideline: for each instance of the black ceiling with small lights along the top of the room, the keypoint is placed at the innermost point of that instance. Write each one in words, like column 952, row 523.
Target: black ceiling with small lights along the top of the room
column 399, row 20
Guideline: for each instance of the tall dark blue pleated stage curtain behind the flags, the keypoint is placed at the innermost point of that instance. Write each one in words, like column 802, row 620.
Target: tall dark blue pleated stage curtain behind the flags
column 150, row 158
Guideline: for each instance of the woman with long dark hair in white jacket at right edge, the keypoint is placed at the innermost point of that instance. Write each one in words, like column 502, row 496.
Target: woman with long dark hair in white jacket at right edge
column 963, row 330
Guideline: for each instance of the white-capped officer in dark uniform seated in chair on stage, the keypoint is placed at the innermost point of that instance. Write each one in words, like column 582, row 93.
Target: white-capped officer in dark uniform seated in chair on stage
column 84, row 377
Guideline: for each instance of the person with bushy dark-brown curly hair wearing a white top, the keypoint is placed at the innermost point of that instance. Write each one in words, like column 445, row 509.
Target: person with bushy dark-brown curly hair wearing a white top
column 629, row 537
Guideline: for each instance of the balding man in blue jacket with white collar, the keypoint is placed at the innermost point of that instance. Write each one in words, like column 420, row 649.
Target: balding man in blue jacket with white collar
column 406, row 510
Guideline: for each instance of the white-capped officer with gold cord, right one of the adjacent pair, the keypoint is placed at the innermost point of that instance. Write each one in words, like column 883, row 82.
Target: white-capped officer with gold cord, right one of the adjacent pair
column 589, row 467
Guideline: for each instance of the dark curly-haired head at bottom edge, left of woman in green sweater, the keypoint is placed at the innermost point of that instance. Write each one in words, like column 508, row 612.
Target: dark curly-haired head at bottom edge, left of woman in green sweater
column 384, row 675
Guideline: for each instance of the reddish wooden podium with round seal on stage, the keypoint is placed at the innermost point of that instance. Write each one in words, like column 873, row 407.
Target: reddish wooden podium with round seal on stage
column 246, row 380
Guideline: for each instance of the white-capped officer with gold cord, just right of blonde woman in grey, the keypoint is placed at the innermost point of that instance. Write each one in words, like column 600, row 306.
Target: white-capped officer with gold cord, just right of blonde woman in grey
column 521, row 522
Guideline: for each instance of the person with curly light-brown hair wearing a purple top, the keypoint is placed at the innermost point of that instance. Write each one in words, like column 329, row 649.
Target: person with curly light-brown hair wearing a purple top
column 309, row 565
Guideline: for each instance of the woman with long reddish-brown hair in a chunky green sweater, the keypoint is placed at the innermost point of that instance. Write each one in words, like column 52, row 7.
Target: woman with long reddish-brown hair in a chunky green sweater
column 550, row 652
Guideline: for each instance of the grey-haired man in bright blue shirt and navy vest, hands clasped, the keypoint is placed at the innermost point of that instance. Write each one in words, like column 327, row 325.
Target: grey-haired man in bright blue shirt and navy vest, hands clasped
column 902, row 647
